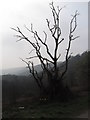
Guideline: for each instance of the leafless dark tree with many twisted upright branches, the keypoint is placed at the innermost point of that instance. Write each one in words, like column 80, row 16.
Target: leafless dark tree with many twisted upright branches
column 54, row 79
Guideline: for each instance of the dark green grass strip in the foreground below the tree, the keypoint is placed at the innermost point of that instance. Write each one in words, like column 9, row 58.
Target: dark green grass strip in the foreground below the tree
column 49, row 110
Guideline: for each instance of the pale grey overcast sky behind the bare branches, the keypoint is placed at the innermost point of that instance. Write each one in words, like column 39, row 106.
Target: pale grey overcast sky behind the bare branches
column 24, row 12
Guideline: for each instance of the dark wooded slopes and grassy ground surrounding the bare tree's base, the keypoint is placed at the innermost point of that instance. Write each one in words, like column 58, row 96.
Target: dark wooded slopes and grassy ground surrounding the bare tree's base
column 23, row 91
